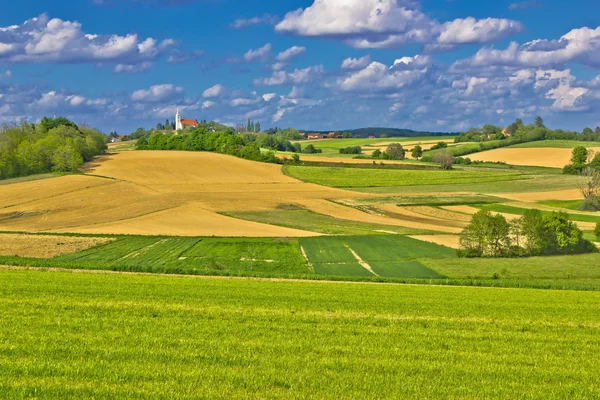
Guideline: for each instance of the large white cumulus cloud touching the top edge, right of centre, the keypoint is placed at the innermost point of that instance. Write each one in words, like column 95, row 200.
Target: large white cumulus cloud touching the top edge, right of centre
column 389, row 24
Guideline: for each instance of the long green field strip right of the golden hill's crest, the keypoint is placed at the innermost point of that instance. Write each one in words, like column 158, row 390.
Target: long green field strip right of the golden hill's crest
column 359, row 177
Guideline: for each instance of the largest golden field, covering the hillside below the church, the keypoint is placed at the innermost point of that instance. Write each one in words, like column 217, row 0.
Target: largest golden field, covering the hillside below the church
column 167, row 193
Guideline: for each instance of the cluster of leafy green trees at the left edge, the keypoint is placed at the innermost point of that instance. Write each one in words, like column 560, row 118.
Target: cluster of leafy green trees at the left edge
column 53, row 145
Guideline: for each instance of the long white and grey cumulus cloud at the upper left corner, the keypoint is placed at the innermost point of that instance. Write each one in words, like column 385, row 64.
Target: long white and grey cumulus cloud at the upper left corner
column 46, row 40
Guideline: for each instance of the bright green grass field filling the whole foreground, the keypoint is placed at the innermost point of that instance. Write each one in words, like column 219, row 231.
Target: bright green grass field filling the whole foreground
column 69, row 335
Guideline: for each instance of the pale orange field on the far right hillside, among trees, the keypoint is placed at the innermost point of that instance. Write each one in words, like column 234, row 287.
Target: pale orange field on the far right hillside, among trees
column 541, row 157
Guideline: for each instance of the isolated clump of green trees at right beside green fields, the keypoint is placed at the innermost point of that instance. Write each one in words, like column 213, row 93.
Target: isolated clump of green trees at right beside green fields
column 534, row 234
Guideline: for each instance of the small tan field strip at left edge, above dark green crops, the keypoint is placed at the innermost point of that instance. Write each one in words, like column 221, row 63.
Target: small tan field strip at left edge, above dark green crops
column 42, row 246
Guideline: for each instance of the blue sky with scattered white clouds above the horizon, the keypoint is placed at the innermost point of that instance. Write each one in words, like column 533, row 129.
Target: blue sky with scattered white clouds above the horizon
column 442, row 65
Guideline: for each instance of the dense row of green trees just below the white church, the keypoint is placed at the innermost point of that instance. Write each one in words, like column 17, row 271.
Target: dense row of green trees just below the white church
column 199, row 139
